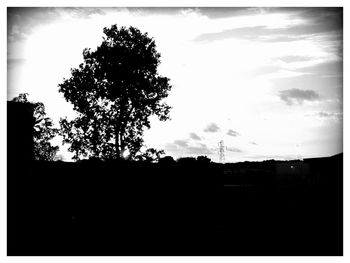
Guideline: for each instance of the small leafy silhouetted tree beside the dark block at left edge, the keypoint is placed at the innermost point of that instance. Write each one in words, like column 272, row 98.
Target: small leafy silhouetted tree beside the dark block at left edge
column 43, row 131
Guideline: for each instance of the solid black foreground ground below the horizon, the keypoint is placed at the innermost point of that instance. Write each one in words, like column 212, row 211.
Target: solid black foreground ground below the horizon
column 113, row 209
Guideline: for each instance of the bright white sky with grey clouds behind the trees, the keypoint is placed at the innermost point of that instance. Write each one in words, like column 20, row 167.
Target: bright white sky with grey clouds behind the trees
column 266, row 81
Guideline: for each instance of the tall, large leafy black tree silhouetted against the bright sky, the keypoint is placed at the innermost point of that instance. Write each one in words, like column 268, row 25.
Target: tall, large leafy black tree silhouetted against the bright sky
column 115, row 91
